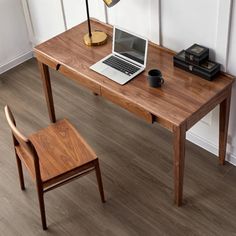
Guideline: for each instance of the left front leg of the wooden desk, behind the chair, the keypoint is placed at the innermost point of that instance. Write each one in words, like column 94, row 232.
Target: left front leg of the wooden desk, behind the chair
column 45, row 76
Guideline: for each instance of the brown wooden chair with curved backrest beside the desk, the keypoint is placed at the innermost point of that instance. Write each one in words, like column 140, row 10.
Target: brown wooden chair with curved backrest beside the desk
column 53, row 156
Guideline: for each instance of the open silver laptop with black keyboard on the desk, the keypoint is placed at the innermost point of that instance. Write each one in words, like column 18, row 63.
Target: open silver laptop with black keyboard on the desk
column 128, row 57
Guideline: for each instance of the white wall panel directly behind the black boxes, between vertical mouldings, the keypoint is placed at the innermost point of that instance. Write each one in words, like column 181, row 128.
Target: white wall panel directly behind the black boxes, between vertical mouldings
column 185, row 22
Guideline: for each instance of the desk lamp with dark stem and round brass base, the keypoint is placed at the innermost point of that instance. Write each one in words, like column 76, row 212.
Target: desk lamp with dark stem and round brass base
column 96, row 38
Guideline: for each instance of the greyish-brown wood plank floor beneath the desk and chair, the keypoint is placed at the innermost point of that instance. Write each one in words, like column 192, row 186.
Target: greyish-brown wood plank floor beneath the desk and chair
column 136, row 165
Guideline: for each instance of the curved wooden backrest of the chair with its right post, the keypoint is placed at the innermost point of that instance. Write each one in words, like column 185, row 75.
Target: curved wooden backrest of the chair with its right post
column 20, row 140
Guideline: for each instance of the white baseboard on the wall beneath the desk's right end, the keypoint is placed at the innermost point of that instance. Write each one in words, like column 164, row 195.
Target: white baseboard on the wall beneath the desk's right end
column 211, row 147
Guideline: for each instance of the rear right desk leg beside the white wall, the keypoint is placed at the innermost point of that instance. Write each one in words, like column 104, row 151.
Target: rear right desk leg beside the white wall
column 223, row 129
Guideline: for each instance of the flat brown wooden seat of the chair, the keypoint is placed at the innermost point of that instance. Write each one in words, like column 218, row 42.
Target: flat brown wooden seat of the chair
column 61, row 150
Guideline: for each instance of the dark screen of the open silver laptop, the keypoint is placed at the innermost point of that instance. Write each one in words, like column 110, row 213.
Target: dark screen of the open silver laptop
column 130, row 46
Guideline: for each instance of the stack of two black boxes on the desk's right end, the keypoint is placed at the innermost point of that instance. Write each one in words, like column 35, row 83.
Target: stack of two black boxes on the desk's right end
column 196, row 60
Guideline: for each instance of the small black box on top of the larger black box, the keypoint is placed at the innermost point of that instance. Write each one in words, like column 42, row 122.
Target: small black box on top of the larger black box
column 196, row 54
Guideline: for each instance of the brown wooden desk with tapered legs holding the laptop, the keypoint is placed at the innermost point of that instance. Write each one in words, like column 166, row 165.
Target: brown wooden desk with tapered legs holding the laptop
column 181, row 102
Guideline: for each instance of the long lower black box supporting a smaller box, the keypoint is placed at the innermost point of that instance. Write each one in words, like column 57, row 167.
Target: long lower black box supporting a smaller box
column 207, row 70
